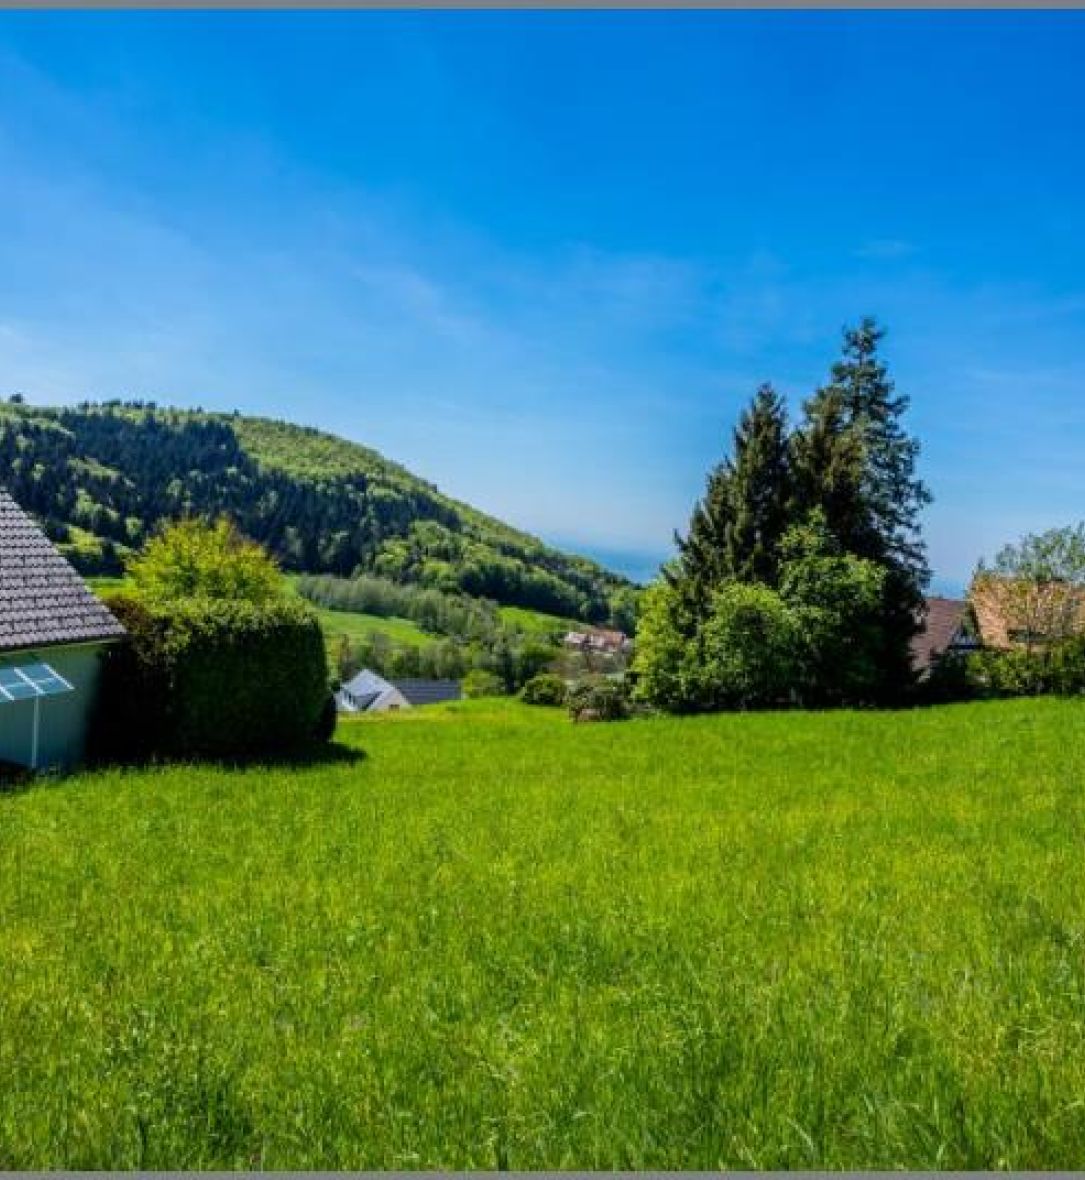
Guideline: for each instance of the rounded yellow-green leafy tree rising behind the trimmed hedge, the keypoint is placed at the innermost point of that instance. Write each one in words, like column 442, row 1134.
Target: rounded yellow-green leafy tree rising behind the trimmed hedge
column 197, row 560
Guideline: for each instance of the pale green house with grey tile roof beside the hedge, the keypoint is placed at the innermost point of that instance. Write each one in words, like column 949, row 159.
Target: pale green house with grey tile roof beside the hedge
column 54, row 633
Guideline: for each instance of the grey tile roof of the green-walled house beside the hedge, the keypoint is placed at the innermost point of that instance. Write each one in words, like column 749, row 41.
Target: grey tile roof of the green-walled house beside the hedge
column 43, row 600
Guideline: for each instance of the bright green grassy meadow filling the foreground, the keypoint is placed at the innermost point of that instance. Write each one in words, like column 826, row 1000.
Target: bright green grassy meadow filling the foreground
column 504, row 940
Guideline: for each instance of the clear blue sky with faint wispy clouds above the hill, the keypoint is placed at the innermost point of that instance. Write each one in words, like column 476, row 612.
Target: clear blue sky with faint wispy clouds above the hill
column 544, row 259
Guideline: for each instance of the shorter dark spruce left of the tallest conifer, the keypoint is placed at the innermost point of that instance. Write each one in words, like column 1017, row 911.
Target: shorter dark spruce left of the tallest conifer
column 735, row 530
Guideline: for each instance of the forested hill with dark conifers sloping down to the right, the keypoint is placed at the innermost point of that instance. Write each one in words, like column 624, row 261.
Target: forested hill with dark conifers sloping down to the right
column 103, row 477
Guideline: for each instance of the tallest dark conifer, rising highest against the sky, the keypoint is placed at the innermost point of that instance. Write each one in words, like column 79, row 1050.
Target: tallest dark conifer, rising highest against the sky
column 854, row 461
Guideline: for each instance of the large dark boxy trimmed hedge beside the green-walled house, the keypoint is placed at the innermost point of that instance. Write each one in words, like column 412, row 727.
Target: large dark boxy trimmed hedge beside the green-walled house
column 213, row 679
